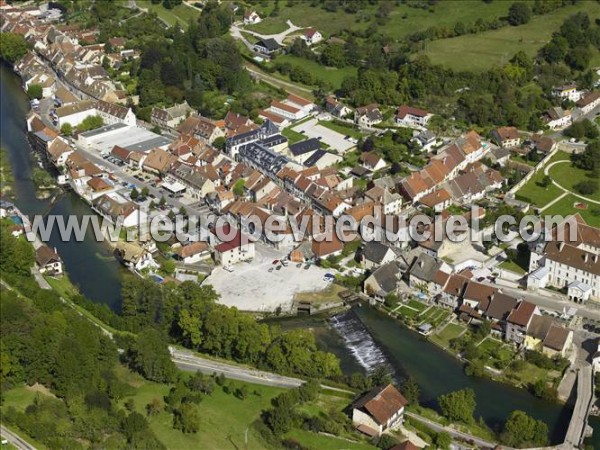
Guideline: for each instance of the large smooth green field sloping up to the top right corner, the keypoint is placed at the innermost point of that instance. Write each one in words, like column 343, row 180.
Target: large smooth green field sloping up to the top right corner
column 495, row 48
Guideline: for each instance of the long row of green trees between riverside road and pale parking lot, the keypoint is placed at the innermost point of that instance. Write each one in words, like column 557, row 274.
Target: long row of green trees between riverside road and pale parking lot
column 190, row 314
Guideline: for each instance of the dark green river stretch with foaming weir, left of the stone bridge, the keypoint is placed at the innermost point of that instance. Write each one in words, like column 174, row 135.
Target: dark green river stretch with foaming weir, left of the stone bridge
column 370, row 337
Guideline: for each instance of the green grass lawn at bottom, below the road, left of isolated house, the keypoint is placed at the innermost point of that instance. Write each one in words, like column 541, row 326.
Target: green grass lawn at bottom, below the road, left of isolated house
column 224, row 417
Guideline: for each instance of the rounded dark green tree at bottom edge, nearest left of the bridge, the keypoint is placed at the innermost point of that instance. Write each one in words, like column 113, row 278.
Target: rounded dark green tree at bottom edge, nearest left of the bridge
column 521, row 430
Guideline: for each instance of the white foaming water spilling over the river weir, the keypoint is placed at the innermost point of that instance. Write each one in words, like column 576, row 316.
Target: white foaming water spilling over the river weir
column 359, row 341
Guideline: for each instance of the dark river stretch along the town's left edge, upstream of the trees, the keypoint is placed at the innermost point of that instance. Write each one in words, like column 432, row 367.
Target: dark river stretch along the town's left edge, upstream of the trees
column 89, row 263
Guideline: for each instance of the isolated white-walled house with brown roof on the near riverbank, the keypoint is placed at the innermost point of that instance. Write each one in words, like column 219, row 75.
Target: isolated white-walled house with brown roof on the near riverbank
column 380, row 410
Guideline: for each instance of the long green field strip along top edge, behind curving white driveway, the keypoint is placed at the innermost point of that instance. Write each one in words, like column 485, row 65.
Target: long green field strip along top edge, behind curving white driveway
column 402, row 21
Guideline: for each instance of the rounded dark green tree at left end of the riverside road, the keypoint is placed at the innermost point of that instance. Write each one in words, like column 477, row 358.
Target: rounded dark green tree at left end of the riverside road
column 150, row 356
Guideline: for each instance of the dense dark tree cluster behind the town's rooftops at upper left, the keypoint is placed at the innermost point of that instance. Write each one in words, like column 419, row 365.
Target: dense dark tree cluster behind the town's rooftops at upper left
column 199, row 64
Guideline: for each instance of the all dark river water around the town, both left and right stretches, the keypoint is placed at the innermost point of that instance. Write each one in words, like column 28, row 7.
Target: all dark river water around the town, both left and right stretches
column 362, row 338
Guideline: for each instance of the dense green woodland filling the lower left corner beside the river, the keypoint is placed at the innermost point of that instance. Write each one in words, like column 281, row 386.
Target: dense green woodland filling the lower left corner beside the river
column 44, row 341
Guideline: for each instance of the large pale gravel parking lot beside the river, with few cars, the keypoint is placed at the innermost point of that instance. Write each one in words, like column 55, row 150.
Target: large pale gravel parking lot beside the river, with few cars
column 252, row 287
